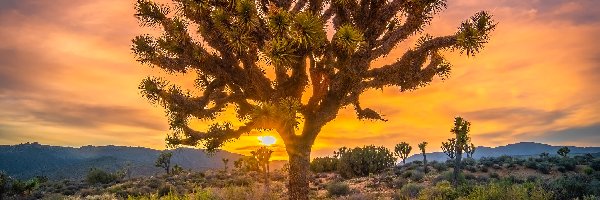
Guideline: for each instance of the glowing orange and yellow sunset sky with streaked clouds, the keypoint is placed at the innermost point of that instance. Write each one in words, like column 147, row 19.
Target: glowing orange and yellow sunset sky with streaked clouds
column 68, row 77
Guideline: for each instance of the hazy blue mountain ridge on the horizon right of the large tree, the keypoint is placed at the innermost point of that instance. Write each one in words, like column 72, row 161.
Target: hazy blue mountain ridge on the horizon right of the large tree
column 518, row 149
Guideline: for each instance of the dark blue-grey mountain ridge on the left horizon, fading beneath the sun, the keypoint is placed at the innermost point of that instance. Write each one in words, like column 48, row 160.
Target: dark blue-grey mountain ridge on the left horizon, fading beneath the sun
column 33, row 159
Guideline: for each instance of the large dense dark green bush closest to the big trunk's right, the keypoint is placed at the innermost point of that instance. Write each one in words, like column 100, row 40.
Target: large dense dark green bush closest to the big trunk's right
column 364, row 161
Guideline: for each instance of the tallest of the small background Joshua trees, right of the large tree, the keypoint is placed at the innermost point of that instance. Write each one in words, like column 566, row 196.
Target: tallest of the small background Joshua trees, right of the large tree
column 461, row 140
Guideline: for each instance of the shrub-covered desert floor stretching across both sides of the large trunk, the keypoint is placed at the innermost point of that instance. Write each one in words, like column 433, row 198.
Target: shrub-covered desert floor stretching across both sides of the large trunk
column 368, row 172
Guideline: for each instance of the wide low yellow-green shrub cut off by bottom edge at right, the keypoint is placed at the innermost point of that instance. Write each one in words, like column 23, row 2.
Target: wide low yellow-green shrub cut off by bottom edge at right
column 500, row 191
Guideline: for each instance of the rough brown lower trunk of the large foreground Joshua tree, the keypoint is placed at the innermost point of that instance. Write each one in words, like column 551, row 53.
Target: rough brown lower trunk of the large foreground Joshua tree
column 299, row 169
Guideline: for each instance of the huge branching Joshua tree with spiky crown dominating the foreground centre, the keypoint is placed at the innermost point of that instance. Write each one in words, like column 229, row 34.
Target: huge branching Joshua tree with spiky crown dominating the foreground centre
column 264, row 56
